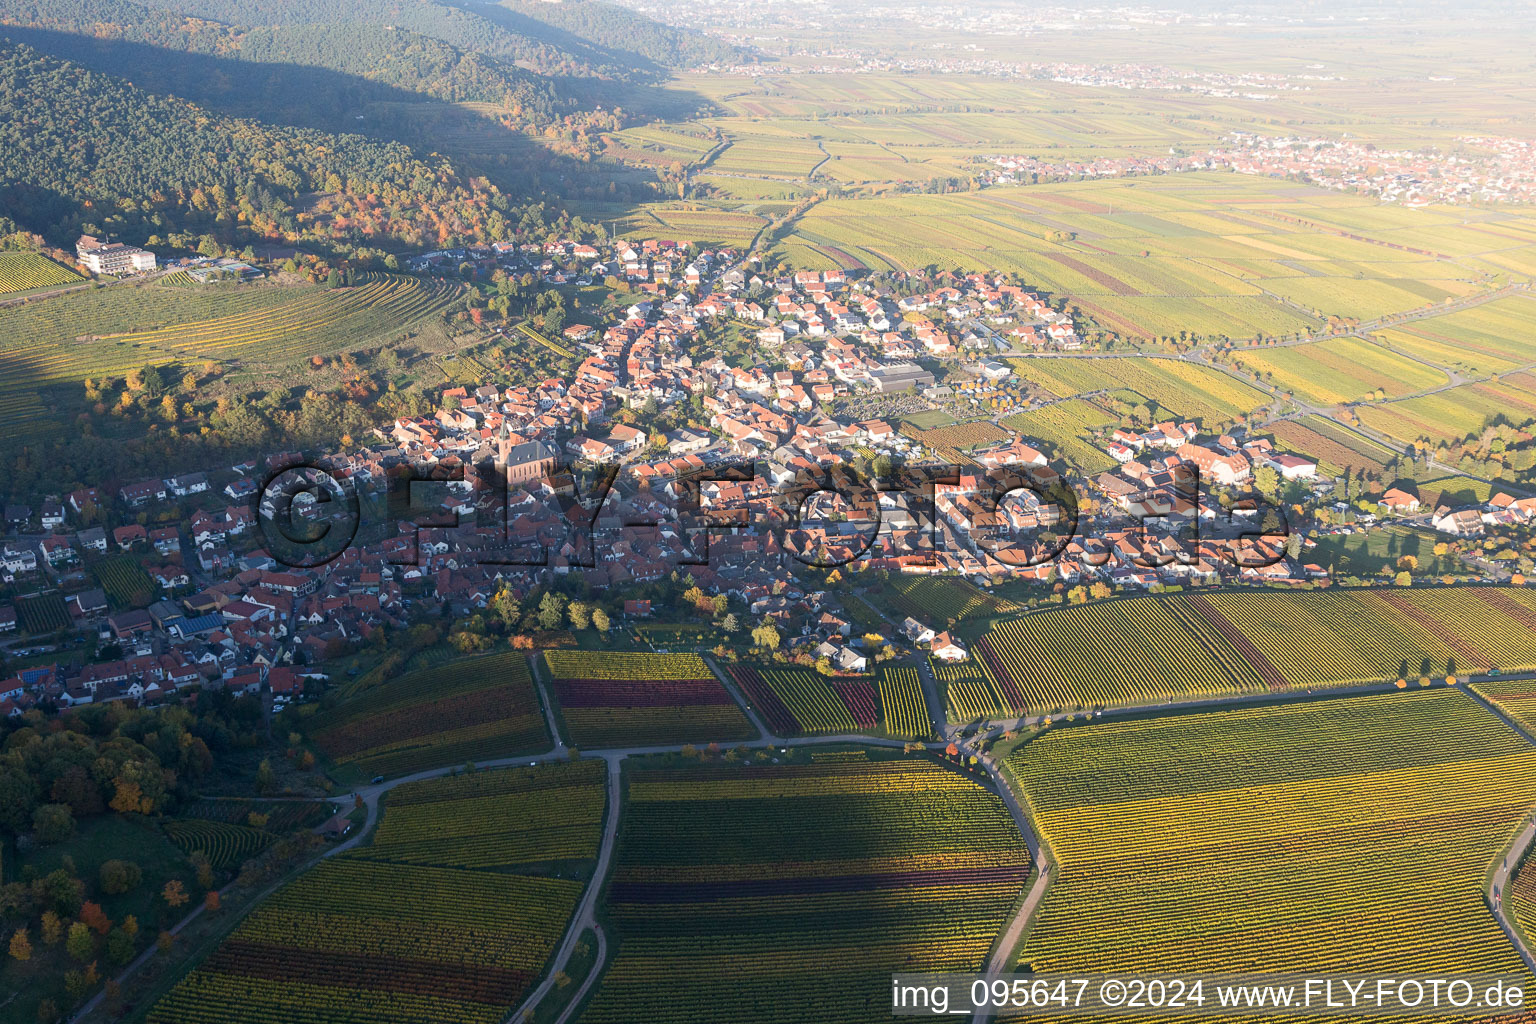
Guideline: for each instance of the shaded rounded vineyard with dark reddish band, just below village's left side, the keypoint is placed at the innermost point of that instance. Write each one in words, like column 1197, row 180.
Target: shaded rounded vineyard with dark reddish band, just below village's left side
column 468, row 710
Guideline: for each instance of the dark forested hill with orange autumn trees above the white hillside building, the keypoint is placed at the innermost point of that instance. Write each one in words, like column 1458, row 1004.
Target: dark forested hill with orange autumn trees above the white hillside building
column 81, row 148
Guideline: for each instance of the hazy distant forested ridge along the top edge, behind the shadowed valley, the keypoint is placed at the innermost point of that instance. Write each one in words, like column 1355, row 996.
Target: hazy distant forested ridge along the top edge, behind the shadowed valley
column 584, row 38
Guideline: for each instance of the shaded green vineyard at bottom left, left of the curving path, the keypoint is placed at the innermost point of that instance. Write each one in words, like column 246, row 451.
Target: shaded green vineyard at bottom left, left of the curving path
column 403, row 930
